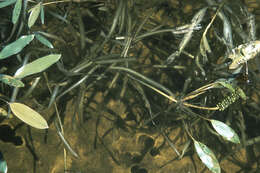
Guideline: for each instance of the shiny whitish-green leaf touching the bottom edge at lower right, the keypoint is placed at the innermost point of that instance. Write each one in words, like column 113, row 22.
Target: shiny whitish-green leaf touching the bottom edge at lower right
column 207, row 157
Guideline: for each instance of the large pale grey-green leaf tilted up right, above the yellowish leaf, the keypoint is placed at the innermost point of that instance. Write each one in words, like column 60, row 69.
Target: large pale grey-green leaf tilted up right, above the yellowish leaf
column 37, row 66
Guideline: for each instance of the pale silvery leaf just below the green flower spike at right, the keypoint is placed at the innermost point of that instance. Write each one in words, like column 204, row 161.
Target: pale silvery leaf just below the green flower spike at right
column 225, row 131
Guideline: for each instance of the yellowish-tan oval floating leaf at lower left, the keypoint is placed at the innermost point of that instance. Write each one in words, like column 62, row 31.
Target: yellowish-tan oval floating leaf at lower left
column 28, row 115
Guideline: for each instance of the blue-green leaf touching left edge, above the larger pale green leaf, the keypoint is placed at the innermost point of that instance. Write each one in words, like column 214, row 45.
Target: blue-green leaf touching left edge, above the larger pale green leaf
column 16, row 46
